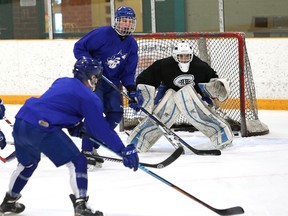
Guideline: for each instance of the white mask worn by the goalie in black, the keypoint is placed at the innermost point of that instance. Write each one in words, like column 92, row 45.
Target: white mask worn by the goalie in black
column 183, row 54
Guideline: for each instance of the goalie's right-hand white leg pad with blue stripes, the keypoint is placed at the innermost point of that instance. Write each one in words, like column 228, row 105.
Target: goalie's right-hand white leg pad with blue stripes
column 202, row 117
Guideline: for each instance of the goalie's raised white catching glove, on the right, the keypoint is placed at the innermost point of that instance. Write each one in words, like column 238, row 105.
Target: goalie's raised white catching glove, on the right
column 216, row 88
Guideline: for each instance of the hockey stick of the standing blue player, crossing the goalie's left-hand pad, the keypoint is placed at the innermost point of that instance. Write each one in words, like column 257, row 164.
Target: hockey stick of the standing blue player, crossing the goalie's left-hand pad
column 169, row 134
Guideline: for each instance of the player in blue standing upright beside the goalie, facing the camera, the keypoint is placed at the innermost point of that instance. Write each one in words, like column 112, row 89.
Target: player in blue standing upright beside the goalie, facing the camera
column 118, row 51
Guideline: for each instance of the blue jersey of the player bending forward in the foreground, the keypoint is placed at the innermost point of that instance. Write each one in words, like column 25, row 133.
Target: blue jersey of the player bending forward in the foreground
column 65, row 103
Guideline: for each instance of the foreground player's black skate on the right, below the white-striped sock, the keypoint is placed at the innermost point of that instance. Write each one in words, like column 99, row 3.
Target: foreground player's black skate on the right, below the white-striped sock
column 81, row 209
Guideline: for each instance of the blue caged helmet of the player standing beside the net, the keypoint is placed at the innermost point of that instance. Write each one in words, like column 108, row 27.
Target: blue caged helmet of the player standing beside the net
column 125, row 21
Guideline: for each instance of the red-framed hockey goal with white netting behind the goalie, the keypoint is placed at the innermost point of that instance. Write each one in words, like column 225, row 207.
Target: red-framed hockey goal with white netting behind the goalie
column 226, row 53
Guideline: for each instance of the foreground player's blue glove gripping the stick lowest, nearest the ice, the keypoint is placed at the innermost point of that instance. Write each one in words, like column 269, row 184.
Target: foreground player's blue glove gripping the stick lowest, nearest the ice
column 130, row 157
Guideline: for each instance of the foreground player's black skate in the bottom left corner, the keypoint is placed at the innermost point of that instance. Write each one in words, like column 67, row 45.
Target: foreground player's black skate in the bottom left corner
column 10, row 205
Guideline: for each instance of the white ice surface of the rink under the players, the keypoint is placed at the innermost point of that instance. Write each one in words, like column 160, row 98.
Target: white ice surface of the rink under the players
column 253, row 174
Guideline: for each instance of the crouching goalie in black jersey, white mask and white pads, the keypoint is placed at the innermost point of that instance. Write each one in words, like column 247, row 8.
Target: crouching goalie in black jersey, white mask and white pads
column 179, row 80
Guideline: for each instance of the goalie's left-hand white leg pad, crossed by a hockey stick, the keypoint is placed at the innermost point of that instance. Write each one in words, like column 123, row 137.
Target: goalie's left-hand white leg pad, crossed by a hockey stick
column 146, row 133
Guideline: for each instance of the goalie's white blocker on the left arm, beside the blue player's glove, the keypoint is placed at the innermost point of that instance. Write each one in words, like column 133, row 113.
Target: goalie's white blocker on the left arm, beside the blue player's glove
column 148, row 94
